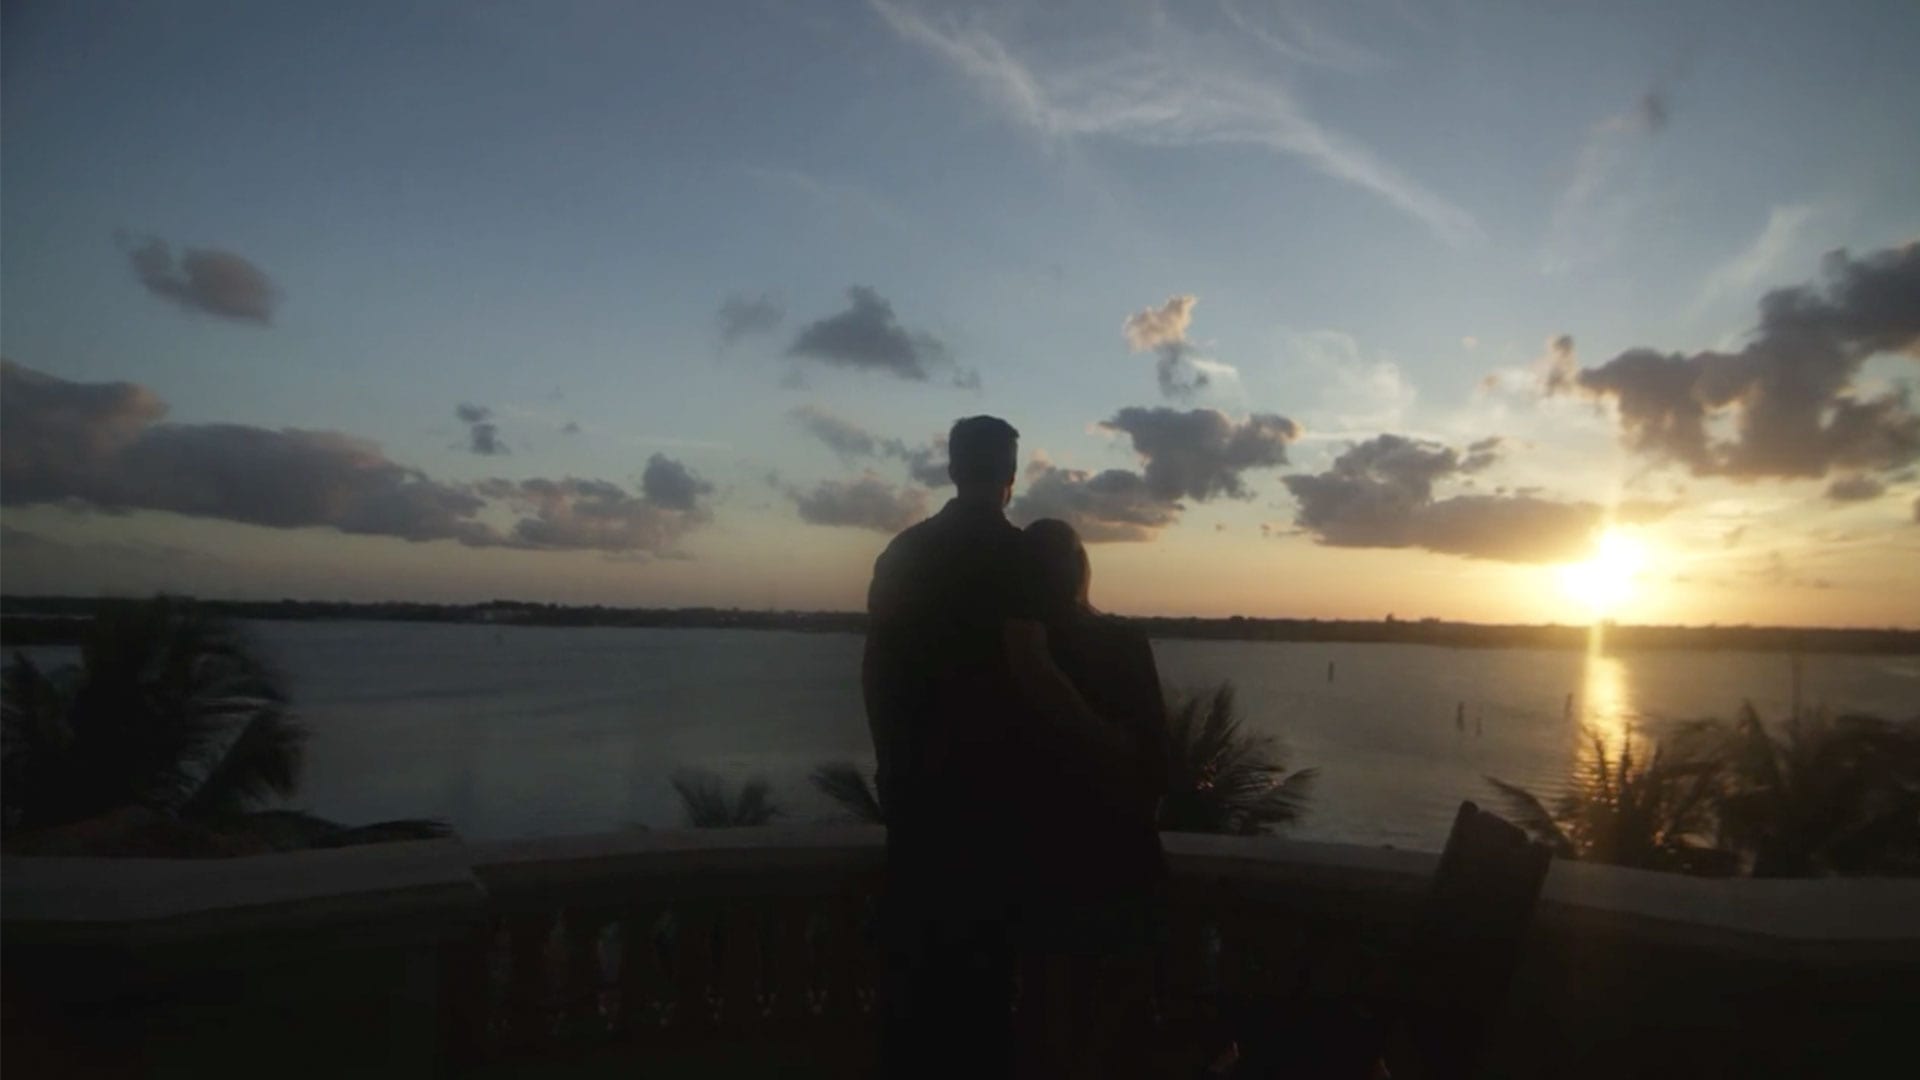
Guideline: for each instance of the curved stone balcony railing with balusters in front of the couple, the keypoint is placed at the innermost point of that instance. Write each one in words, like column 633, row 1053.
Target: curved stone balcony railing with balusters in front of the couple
column 692, row 950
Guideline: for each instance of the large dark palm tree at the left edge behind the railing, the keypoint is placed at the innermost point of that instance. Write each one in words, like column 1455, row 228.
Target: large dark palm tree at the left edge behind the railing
column 166, row 739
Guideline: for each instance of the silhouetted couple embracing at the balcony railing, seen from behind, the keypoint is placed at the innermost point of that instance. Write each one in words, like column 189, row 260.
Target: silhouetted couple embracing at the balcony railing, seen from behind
column 1022, row 752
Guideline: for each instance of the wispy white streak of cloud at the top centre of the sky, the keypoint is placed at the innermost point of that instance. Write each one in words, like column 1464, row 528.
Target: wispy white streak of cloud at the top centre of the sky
column 1180, row 93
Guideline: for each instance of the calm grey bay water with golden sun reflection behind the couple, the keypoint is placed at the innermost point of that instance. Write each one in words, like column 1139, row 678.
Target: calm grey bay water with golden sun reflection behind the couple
column 517, row 731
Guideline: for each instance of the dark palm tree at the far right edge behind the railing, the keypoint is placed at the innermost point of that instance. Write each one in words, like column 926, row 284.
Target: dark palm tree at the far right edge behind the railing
column 1829, row 797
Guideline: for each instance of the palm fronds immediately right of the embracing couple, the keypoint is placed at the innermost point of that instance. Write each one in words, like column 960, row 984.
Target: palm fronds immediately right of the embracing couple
column 1224, row 779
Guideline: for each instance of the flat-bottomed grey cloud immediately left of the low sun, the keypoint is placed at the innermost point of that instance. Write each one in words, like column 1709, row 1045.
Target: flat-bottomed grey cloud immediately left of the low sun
column 1381, row 495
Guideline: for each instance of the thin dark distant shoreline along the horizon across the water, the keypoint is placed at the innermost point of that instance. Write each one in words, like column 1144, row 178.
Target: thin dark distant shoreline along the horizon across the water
column 55, row 622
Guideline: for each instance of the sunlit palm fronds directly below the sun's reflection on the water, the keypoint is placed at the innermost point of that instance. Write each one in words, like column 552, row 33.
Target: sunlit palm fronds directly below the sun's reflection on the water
column 1650, row 814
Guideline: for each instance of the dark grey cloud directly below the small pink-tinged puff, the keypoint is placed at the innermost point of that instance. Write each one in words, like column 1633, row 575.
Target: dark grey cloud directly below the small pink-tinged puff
column 1201, row 453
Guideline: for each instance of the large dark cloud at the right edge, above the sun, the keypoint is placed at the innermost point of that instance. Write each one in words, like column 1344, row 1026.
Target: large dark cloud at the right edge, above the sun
column 1788, row 397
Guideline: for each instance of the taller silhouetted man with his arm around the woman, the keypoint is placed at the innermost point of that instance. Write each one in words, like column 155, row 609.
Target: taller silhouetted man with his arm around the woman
column 959, row 697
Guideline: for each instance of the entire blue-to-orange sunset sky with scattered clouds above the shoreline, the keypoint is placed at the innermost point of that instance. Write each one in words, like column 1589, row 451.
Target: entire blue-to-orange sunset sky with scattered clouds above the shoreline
column 1485, row 312
